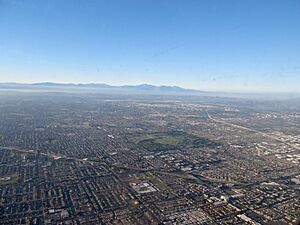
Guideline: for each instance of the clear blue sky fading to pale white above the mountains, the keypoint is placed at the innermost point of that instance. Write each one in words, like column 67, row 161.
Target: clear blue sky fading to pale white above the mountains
column 232, row 45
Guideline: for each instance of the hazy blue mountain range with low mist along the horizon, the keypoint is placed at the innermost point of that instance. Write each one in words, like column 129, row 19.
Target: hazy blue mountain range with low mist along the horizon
column 139, row 89
